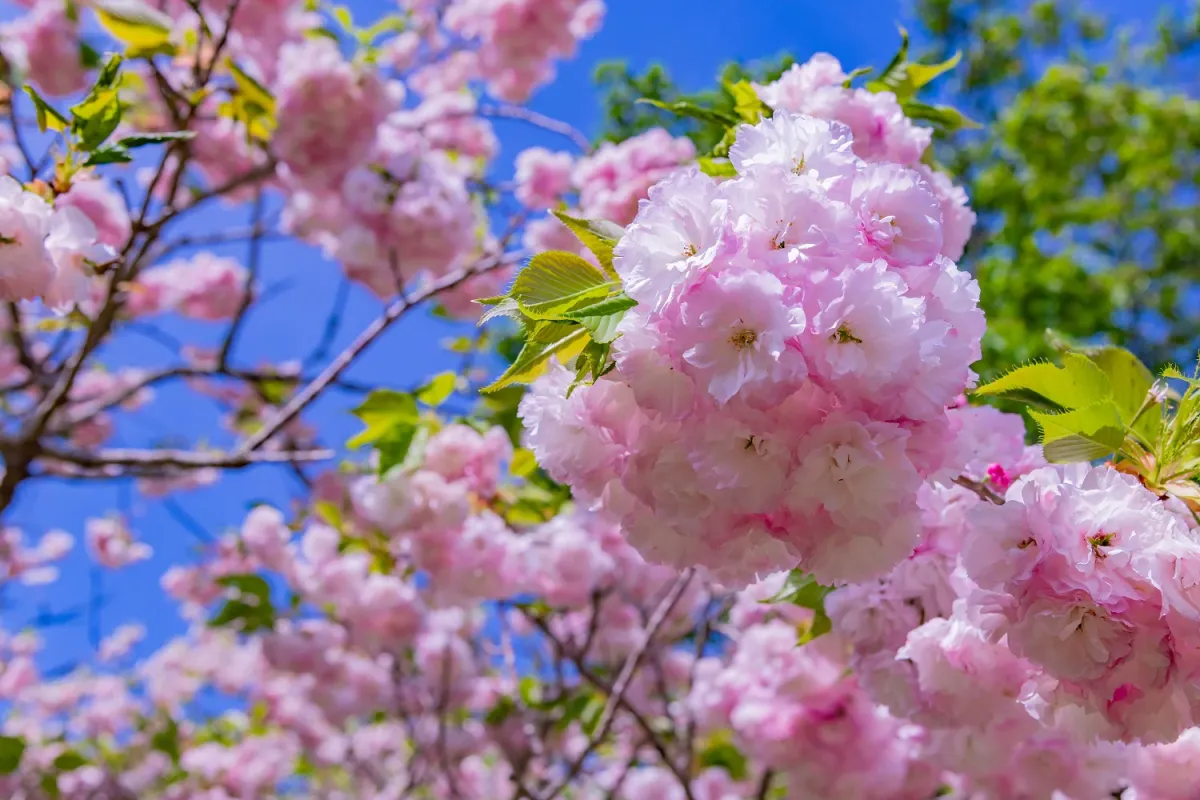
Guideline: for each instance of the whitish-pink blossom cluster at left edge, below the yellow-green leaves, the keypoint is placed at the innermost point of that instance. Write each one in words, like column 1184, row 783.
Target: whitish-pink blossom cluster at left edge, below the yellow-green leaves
column 46, row 252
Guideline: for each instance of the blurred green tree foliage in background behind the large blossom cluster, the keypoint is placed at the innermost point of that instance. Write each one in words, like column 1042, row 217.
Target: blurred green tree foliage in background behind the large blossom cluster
column 1084, row 175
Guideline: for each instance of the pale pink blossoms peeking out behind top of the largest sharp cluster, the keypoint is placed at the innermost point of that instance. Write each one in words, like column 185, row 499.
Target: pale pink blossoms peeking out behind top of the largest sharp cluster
column 881, row 131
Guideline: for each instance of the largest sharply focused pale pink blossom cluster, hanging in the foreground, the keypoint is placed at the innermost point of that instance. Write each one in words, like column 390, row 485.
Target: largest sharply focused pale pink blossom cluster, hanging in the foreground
column 782, row 388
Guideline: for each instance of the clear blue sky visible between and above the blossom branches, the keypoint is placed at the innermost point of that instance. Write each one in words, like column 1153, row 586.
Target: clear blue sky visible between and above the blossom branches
column 692, row 38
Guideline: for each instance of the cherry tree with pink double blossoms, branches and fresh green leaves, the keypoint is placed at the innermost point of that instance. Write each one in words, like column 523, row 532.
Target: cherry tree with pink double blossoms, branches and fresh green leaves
column 725, row 522
